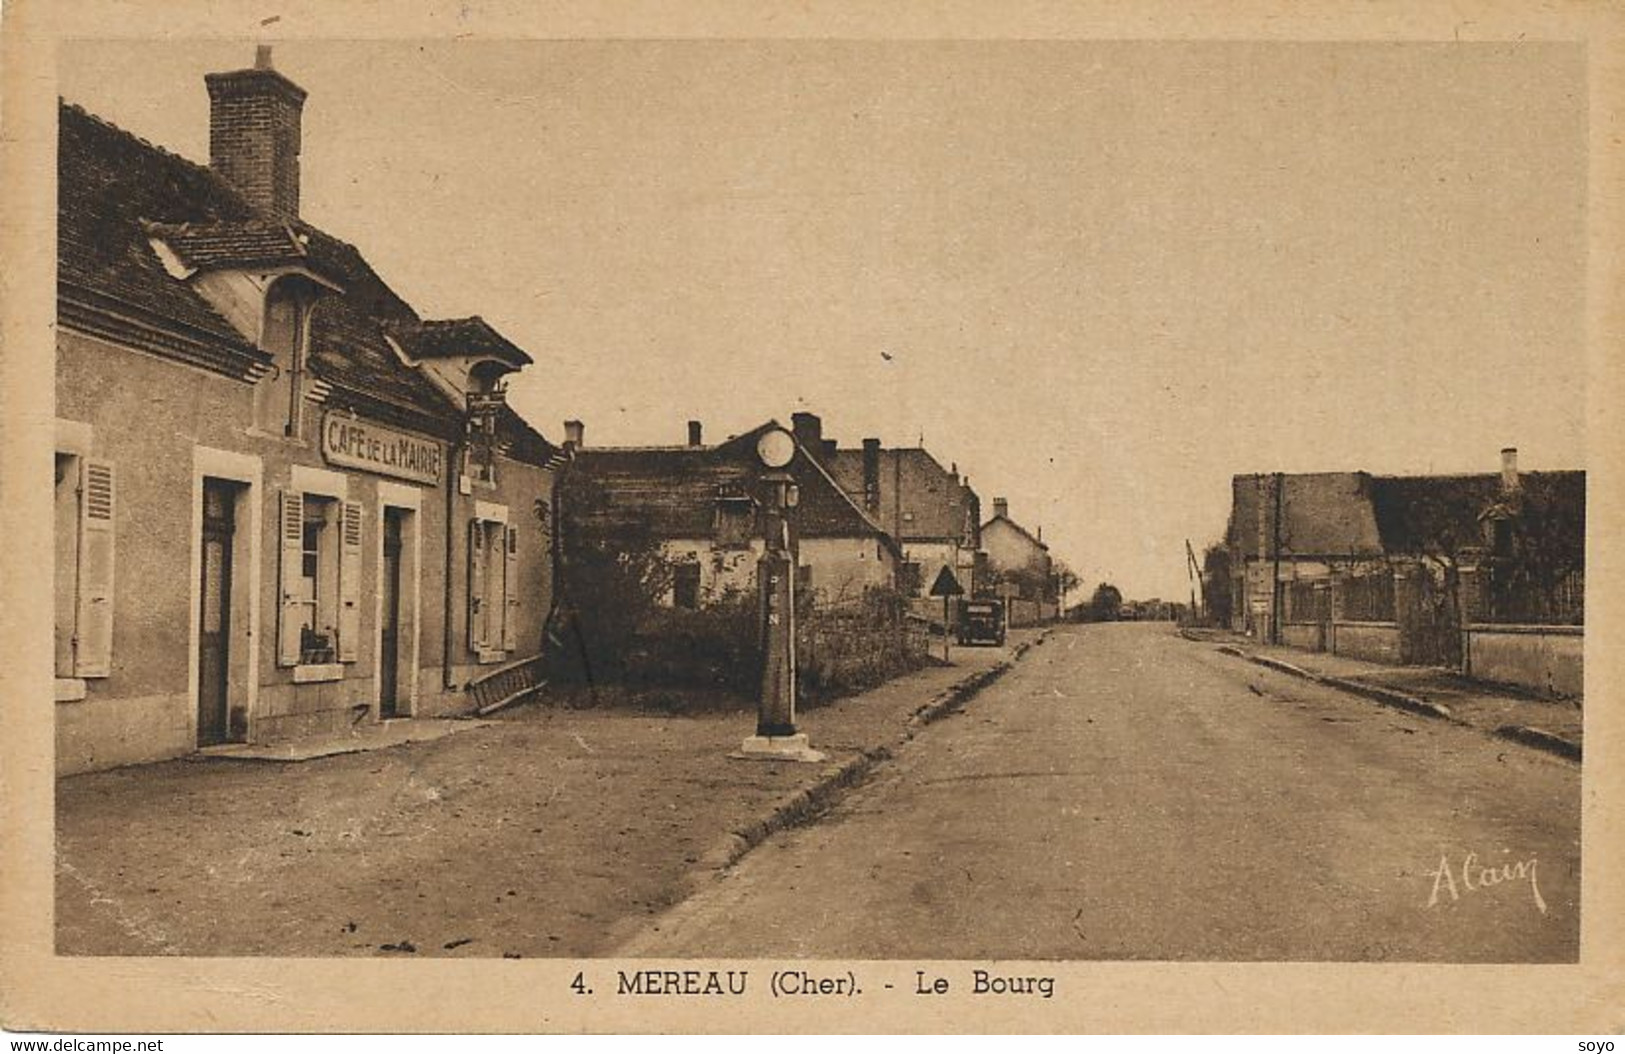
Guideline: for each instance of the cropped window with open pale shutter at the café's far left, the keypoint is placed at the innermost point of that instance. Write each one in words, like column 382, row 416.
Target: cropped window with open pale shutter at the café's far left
column 85, row 506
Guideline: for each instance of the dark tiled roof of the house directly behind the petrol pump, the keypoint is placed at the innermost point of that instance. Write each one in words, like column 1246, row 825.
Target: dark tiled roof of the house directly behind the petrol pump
column 674, row 491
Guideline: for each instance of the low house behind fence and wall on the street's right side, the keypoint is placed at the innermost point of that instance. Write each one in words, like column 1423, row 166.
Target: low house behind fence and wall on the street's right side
column 1416, row 569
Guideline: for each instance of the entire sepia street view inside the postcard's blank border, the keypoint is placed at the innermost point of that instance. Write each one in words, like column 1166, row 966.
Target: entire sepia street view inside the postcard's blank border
column 854, row 517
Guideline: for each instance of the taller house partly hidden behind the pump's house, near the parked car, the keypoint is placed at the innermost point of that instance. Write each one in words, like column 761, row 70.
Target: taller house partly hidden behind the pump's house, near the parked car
column 927, row 508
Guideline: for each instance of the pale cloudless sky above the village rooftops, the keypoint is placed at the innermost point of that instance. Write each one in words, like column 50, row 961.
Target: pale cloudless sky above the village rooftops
column 1101, row 277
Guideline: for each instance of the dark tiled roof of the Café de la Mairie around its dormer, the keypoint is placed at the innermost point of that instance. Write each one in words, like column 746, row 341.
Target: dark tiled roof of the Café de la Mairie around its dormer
column 115, row 188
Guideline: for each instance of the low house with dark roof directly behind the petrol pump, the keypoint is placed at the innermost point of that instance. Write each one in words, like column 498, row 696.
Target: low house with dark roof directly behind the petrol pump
column 703, row 504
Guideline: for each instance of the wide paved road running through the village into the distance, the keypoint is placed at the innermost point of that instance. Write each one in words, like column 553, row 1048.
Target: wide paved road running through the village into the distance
column 1129, row 795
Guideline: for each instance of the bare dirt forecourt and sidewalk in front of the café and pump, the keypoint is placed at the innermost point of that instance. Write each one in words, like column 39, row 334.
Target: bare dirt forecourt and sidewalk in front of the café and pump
column 539, row 836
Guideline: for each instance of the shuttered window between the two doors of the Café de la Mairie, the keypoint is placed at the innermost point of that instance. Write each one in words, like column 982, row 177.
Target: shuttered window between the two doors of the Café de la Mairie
column 321, row 581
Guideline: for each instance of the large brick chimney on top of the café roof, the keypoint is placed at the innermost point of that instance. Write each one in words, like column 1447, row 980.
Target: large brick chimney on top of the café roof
column 254, row 136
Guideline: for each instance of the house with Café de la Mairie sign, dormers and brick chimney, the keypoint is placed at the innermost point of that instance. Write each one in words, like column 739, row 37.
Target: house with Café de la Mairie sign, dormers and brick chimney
column 285, row 501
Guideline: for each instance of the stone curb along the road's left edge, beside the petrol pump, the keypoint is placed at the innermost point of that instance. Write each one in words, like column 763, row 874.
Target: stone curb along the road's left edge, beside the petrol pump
column 808, row 803
